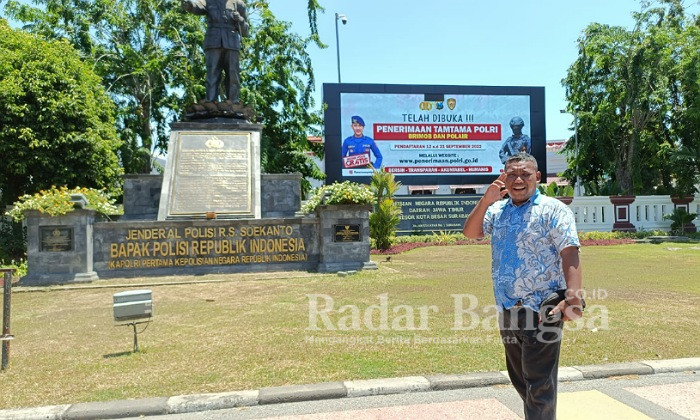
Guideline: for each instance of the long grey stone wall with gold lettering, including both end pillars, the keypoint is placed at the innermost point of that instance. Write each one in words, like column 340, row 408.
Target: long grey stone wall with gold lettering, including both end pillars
column 74, row 247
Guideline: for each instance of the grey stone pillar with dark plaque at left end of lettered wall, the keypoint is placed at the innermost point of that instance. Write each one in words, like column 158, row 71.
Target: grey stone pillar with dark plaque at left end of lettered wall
column 59, row 248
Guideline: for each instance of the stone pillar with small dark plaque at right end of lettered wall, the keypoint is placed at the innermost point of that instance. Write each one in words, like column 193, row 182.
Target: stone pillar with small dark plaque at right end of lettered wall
column 344, row 237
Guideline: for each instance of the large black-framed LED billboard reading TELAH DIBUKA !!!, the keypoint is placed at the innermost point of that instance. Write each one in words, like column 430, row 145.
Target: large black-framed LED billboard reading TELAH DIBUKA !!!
column 430, row 134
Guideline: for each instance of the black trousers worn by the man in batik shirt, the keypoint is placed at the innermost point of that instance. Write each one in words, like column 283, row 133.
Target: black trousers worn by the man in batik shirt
column 532, row 358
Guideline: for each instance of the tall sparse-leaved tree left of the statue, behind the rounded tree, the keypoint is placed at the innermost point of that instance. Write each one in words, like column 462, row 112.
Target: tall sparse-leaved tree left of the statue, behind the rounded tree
column 146, row 51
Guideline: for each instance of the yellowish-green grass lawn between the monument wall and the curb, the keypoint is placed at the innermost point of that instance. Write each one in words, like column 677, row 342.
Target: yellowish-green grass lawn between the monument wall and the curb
column 250, row 331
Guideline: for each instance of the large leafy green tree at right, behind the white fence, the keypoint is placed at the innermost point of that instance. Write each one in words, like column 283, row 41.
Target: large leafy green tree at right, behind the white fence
column 635, row 94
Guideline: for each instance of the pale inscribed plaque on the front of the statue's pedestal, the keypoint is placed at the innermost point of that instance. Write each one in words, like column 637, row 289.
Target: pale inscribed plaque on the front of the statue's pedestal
column 211, row 172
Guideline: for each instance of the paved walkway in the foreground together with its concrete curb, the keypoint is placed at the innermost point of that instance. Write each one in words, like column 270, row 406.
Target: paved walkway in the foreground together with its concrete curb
column 670, row 389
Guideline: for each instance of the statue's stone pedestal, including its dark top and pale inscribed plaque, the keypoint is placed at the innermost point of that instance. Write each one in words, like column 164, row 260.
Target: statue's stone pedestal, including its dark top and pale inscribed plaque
column 212, row 167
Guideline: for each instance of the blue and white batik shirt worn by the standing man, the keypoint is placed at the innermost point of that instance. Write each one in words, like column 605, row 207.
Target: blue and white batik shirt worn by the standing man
column 526, row 242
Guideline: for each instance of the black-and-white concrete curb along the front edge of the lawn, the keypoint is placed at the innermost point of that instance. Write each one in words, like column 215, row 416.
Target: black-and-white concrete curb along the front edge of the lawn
column 329, row 390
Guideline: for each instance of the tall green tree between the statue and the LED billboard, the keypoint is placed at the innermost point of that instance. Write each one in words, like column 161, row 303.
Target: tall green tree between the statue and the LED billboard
column 278, row 81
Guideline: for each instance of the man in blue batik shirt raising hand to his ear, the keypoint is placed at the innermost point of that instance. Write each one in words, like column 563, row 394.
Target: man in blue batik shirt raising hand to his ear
column 535, row 251
